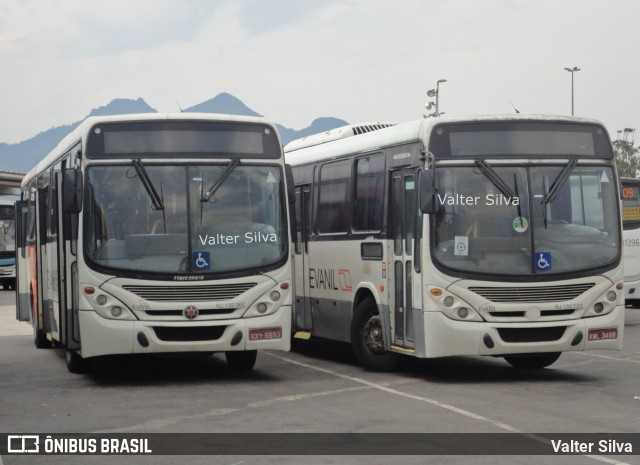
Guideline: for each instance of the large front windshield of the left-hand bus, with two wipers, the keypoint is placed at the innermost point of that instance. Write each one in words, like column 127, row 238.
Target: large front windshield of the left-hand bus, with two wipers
column 240, row 227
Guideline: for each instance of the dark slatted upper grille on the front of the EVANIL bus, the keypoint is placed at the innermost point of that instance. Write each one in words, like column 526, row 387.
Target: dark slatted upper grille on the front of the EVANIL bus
column 532, row 294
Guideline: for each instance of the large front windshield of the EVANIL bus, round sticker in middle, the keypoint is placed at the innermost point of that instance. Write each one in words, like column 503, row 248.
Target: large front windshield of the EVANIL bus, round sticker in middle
column 525, row 220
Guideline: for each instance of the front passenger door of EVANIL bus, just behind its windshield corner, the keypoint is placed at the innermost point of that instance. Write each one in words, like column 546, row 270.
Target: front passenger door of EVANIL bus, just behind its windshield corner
column 403, row 213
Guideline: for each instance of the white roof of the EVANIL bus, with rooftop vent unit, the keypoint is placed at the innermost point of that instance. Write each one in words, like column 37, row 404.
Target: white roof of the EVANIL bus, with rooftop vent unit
column 300, row 151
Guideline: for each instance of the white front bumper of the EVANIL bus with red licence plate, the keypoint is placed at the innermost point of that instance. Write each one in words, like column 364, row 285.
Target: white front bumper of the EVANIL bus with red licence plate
column 447, row 337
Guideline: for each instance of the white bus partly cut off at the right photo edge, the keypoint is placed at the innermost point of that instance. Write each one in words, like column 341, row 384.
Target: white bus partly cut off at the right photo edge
column 630, row 194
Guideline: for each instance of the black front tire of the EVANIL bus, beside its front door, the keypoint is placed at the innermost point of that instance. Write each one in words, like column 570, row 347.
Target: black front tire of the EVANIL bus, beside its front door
column 367, row 338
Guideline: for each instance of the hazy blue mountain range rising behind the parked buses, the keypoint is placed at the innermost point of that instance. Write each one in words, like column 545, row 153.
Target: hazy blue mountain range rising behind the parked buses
column 23, row 156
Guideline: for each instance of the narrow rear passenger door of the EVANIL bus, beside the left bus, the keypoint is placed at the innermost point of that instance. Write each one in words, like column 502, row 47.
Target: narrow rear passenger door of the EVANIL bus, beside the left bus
column 303, row 320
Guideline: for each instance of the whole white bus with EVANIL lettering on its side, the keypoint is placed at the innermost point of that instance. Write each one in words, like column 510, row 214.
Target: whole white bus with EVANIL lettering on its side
column 495, row 236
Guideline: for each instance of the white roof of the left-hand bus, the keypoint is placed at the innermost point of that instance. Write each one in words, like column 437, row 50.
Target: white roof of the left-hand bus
column 77, row 134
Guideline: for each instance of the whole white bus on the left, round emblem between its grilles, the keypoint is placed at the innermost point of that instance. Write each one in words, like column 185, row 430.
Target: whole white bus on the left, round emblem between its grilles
column 158, row 233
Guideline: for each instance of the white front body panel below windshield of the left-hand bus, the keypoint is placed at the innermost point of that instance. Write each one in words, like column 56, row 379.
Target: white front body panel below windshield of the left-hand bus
column 104, row 336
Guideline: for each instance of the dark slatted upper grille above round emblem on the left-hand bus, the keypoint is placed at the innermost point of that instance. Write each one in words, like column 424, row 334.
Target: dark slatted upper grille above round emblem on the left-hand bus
column 190, row 293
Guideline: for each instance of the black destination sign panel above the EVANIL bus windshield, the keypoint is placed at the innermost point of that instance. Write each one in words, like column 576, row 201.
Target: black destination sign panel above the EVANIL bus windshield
column 525, row 139
